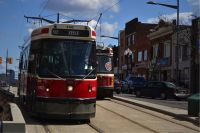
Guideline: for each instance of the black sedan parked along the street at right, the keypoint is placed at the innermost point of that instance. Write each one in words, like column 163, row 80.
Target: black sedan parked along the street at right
column 161, row 89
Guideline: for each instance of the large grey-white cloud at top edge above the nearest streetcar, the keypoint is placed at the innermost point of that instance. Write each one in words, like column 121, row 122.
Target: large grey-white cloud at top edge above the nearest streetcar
column 84, row 8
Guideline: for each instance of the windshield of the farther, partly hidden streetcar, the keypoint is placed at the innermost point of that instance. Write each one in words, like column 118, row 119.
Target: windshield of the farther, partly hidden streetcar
column 104, row 64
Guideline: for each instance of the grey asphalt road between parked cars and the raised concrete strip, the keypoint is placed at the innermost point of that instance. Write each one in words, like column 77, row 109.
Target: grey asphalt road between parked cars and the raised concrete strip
column 183, row 104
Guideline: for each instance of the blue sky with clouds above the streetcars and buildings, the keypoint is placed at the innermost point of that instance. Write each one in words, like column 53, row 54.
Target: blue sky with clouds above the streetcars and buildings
column 14, row 28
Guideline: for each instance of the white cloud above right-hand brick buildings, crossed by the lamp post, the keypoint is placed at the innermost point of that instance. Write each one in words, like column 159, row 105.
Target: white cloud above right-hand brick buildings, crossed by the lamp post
column 184, row 18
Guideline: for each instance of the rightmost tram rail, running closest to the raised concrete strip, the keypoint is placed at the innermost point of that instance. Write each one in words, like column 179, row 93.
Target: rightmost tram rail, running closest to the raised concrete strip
column 174, row 122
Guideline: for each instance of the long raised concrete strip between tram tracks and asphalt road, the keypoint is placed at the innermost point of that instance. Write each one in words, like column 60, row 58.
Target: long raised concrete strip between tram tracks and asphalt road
column 175, row 112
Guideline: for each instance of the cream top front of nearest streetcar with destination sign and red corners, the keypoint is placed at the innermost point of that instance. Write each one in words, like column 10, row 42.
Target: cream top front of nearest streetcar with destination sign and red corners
column 64, row 31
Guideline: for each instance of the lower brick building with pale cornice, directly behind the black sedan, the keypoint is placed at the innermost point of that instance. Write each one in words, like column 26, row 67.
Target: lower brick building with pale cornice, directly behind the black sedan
column 161, row 53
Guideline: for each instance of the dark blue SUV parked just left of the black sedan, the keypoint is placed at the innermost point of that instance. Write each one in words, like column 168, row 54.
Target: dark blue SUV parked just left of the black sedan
column 132, row 82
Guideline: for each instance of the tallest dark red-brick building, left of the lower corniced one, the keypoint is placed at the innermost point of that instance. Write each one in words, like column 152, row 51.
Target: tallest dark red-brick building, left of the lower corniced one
column 137, row 48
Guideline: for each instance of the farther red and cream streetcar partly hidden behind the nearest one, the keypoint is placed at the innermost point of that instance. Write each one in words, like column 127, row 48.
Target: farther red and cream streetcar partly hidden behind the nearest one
column 105, row 74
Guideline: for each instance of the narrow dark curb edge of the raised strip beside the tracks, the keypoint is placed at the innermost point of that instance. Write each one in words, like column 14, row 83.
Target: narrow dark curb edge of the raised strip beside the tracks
column 179, row 116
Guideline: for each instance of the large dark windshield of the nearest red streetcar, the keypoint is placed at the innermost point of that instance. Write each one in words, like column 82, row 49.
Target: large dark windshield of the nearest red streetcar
column 64, row 58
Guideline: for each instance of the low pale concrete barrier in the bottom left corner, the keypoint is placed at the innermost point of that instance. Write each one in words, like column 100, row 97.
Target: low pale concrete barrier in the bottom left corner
column 18, row 122
